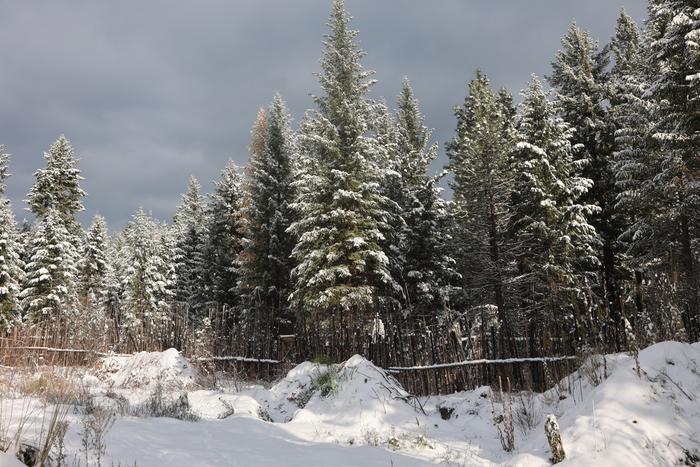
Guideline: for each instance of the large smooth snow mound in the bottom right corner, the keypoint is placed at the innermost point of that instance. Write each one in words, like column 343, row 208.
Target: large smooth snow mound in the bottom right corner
column 653, row 419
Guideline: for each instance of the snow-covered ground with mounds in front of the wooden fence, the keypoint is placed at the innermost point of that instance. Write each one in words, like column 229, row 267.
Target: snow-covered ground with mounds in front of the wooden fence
column 354, row 414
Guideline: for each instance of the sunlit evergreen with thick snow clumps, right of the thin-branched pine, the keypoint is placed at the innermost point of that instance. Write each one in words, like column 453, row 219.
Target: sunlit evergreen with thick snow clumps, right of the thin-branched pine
column 549, row 223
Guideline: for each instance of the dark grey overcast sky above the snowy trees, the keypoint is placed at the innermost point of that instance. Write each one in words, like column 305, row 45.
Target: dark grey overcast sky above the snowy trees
column 150, row 92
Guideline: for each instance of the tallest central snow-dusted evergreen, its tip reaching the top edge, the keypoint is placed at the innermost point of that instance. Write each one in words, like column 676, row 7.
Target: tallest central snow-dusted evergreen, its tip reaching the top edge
column 341, row 211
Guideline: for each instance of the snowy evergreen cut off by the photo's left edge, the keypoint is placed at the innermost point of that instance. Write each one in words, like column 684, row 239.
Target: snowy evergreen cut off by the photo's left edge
column 10, row 261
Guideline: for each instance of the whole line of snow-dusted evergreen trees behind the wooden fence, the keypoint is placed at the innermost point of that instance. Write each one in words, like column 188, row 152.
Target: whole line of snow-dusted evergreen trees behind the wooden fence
column 574, row 213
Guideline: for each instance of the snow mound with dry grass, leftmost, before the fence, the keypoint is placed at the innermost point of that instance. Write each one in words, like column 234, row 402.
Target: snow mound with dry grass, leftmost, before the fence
column 148, row 369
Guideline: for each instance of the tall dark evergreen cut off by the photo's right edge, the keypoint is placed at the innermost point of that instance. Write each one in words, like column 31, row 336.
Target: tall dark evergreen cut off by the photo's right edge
column 673, row 223
